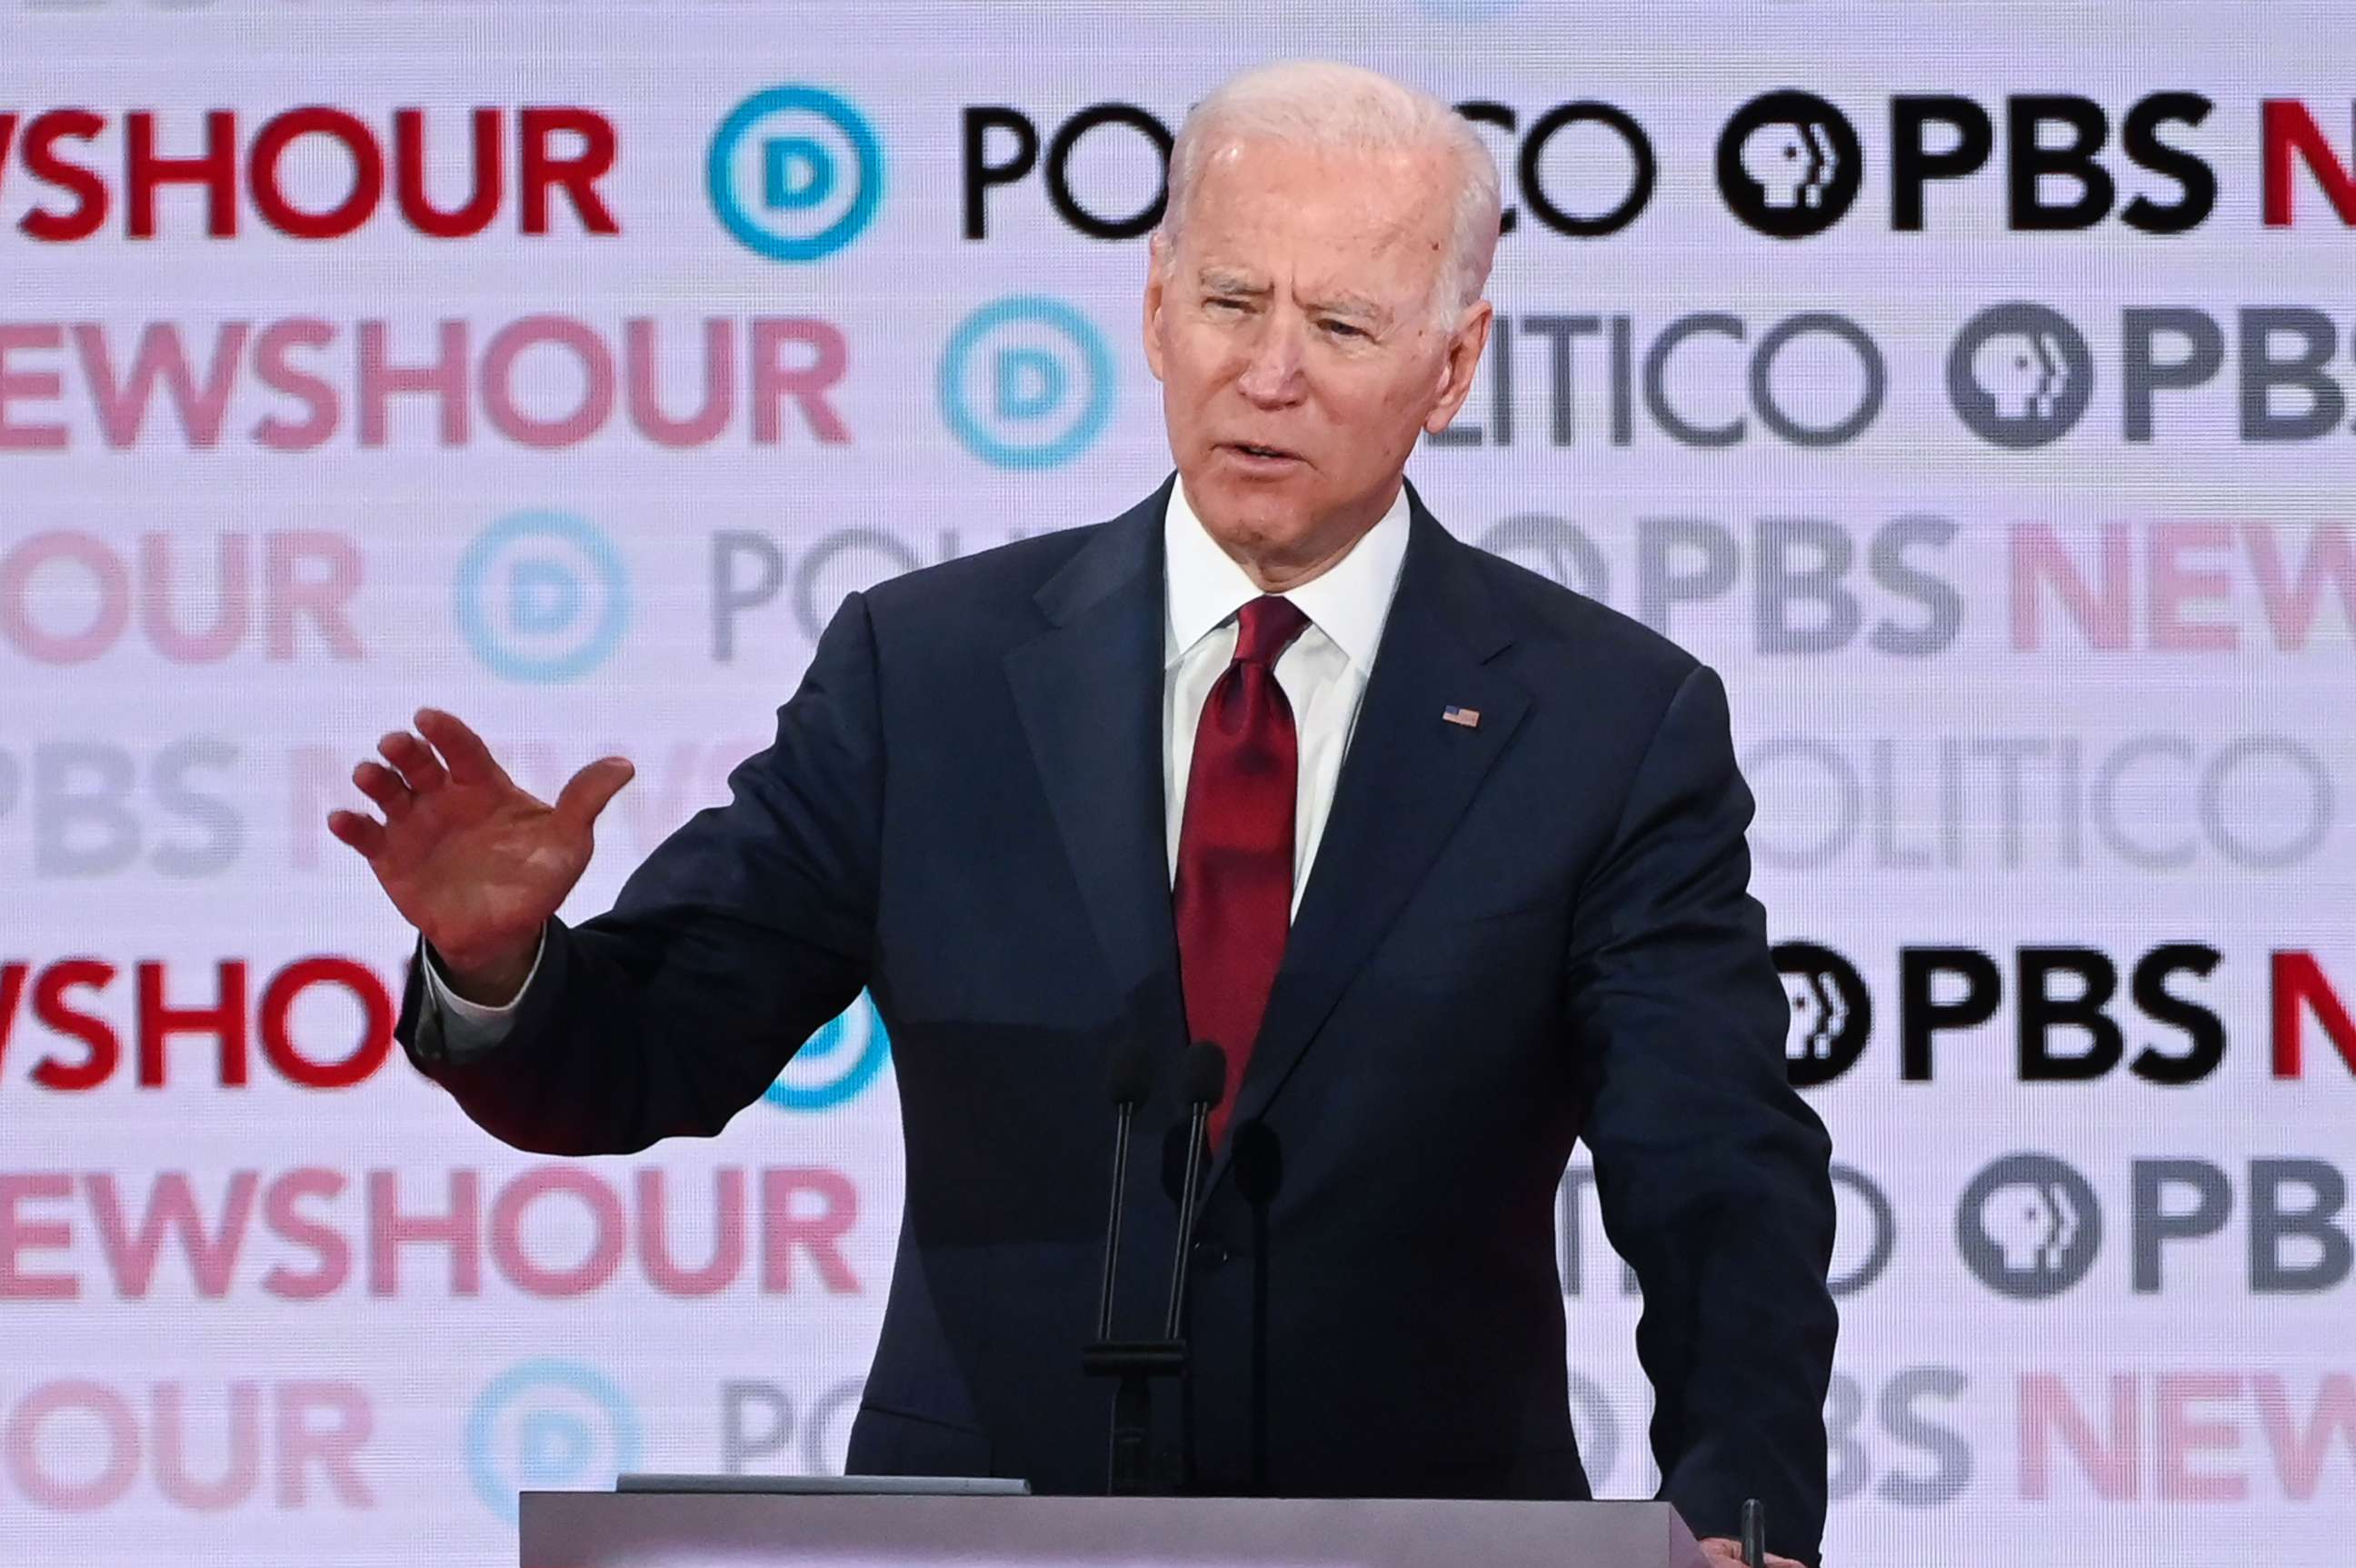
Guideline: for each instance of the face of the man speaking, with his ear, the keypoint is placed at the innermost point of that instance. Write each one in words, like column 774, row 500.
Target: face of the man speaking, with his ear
column 1299, row 347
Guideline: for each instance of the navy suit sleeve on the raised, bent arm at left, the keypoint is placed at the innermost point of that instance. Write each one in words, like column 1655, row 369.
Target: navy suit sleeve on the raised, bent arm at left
column 724, row 952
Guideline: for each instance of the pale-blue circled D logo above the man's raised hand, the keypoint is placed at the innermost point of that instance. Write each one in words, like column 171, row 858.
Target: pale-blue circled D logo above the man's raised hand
column 543, row 597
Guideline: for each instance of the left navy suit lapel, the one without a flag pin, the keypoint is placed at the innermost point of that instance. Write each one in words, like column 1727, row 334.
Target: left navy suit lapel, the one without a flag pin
column 1090, row 693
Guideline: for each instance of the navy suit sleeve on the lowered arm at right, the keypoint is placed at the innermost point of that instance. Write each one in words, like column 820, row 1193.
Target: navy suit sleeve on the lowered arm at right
column 1712, row 1171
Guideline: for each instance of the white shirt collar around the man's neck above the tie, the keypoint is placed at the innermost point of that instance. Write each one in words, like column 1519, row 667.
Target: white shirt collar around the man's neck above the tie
column 1349, row 602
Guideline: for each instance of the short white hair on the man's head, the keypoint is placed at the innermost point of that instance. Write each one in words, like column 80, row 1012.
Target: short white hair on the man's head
column 1325, row 105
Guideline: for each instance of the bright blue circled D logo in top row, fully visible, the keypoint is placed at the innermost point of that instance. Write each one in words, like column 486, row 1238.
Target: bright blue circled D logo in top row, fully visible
column 795, row 173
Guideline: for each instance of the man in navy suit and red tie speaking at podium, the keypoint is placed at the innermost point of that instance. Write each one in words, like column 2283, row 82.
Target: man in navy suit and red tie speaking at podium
column 1448, row 858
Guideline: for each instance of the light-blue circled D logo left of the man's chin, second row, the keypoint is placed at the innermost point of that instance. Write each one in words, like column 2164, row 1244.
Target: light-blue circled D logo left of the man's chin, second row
column 1026, row 383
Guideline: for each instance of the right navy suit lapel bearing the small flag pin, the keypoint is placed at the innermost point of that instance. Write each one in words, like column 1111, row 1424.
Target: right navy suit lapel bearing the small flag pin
column 1403, row 788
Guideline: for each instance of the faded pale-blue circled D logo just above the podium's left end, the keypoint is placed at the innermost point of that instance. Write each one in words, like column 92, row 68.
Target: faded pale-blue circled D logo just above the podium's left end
column 548, row 1426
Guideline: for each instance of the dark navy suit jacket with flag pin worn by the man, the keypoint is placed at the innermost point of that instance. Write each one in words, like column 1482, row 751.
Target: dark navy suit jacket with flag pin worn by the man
column 1516, row 934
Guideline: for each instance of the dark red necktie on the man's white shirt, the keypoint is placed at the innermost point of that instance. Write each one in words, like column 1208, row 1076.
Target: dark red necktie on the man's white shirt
column 1236, row 849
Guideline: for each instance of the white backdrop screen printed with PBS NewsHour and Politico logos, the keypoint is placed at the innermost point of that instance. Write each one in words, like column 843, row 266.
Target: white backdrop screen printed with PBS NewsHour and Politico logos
column 1968, row 385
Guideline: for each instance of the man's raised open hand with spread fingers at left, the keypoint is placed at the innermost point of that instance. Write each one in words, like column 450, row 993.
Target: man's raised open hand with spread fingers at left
column 475, row 863
